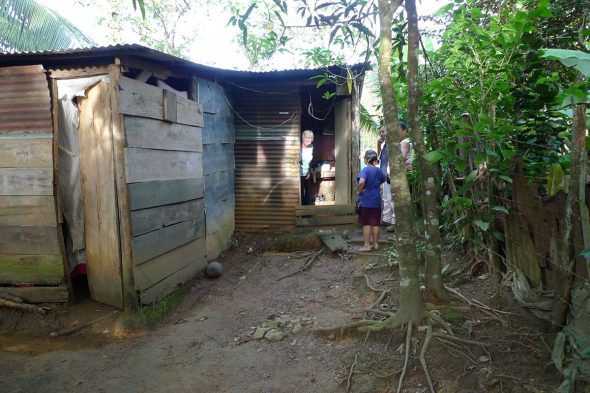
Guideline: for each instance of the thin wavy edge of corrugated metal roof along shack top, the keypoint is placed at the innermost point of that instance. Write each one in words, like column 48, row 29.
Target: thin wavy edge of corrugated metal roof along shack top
column 101, row 53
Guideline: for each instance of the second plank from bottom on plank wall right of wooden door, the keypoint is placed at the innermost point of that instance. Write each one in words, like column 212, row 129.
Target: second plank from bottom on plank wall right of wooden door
column 155, row 270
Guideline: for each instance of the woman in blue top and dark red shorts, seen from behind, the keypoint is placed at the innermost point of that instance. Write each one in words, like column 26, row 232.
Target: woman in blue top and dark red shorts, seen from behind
column 369, row 194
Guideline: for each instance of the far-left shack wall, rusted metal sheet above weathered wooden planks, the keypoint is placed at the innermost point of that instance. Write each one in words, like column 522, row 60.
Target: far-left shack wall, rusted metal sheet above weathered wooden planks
column 29, row 244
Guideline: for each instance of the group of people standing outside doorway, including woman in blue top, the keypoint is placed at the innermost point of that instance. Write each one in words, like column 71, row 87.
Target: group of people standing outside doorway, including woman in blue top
column 376, row 200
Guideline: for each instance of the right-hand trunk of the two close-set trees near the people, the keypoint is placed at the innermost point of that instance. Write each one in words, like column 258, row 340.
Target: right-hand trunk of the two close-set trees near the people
column 433, row 275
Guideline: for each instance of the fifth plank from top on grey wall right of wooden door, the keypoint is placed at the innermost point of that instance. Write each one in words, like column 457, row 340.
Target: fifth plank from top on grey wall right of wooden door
column 147, row 220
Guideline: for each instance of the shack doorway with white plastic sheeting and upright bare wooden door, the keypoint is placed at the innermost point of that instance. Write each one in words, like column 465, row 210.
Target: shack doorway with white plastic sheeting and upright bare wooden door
column 87, row 193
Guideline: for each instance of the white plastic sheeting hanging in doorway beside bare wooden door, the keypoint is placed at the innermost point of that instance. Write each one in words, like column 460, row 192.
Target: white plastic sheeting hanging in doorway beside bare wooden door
column 69, row 164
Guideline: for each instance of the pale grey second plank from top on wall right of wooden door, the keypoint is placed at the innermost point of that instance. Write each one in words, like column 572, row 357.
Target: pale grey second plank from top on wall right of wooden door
column 156, row 134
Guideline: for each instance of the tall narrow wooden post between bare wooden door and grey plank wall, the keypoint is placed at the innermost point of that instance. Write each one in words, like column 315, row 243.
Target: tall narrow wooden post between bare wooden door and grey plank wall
column 130, row 299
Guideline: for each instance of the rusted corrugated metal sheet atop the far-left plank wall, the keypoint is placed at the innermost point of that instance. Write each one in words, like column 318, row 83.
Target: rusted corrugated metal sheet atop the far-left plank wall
column 24, row 101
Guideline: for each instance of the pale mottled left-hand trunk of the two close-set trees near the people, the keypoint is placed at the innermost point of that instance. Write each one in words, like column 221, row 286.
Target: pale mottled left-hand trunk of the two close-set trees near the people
column 411, row 305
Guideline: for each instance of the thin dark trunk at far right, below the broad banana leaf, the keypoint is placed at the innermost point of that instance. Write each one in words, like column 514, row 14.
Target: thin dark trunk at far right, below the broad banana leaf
column 571, row 220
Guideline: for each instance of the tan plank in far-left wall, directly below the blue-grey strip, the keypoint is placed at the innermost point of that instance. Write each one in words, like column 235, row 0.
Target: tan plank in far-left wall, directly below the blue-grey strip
column 26, row 153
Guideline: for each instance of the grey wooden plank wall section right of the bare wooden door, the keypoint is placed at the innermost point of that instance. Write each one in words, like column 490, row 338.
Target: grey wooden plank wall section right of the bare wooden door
column 164, row 172
